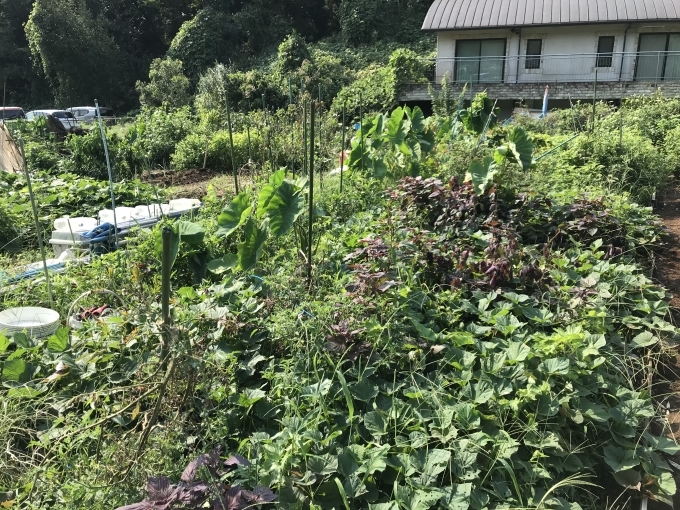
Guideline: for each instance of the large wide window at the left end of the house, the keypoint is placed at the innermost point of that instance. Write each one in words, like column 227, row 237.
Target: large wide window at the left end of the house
column 480, row 60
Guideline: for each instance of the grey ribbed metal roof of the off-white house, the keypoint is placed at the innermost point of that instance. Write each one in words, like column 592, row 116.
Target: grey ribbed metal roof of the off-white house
column 471, row 14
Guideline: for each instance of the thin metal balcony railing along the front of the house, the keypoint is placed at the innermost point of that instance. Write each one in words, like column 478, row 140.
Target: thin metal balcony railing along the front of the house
column 654, row 66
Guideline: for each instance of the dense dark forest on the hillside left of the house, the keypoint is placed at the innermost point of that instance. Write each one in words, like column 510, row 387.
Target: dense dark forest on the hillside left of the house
column 67, row 52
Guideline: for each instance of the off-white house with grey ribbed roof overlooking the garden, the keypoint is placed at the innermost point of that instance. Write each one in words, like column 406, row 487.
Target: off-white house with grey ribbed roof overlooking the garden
column 514, row 48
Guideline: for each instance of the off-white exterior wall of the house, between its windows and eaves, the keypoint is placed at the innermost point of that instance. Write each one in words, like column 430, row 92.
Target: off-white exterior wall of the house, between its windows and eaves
column 568, row 51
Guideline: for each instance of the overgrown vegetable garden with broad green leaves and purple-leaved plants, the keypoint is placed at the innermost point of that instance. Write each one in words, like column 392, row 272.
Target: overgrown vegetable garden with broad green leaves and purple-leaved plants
column 464, row 316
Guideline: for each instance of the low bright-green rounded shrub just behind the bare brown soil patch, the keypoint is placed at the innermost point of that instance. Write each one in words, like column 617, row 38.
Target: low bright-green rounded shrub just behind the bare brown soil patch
column 190, row 152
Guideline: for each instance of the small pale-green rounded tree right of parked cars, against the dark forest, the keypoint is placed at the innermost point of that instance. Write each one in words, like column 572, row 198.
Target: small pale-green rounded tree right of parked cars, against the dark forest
column 167, row 85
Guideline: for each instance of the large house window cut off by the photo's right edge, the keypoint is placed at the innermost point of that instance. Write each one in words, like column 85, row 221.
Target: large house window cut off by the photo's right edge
column 658, row 57
